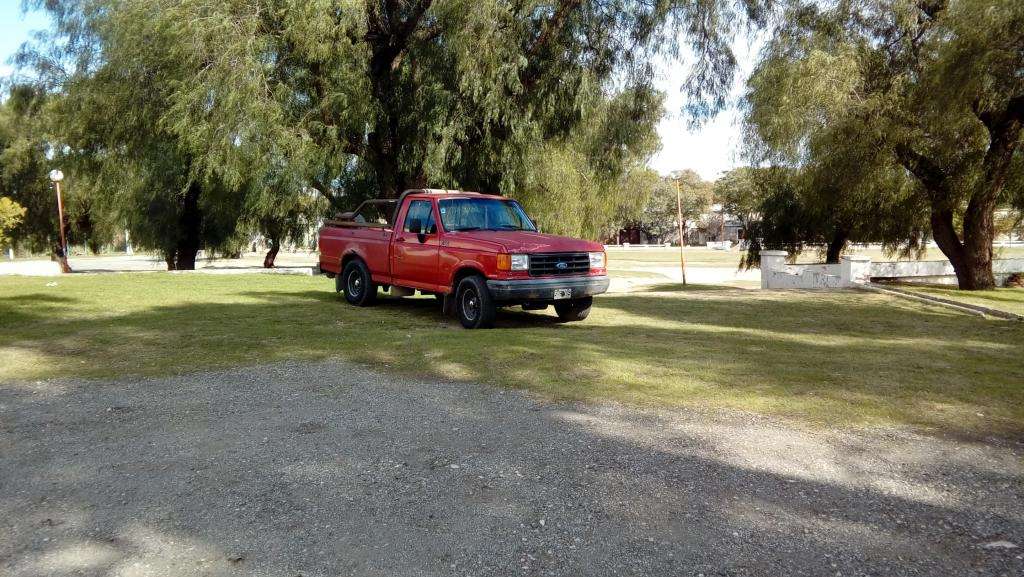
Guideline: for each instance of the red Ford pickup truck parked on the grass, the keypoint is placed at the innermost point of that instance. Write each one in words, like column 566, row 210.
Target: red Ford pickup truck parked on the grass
column 475, row 252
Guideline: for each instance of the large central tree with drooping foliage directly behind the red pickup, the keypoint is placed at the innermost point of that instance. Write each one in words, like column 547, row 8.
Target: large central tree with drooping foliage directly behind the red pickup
column 379, row 97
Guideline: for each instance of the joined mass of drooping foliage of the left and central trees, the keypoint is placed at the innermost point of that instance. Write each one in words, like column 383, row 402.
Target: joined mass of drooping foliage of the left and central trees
column 194, row 121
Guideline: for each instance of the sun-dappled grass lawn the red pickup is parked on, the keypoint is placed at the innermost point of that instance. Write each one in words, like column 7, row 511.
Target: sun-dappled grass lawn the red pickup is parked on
column 825, row 358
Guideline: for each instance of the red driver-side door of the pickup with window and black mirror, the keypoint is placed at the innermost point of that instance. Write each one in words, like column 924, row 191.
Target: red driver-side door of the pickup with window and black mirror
column 416, row 245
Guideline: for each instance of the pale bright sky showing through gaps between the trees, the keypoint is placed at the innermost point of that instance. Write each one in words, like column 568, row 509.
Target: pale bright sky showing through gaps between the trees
column 710, row 151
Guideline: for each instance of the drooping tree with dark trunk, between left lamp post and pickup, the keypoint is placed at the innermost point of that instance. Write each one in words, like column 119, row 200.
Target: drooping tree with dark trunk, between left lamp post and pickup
column 109, row 73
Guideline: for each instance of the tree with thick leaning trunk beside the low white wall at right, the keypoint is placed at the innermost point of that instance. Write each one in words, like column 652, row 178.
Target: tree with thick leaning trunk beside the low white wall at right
column 930, row 90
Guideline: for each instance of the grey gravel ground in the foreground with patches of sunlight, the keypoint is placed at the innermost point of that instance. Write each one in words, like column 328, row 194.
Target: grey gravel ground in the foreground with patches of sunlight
column 328, row 469
